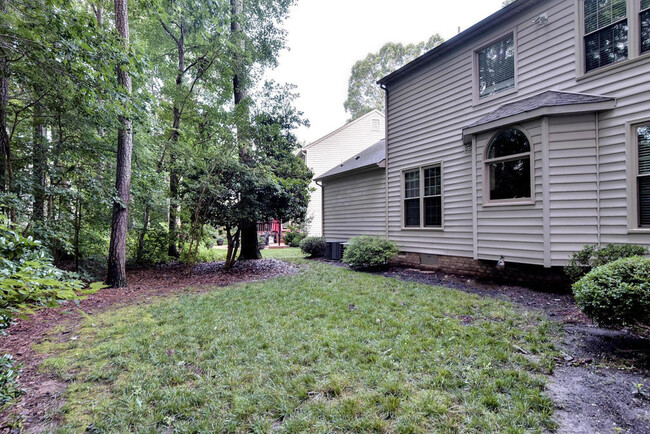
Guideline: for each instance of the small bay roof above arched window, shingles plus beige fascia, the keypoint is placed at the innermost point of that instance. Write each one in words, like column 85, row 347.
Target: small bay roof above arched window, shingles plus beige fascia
column 546, row 103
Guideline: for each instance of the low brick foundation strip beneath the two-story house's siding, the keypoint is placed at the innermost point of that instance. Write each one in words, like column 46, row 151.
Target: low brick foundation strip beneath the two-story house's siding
column 533, row 276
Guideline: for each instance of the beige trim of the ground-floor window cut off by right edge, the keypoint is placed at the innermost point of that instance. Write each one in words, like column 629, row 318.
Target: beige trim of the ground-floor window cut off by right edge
column 632, row 175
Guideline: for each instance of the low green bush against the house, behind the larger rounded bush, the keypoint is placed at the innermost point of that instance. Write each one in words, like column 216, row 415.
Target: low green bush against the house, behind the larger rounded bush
column 591, row 257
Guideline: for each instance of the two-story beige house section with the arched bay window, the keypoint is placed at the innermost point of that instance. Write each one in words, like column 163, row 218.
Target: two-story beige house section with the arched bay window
column 525, row 137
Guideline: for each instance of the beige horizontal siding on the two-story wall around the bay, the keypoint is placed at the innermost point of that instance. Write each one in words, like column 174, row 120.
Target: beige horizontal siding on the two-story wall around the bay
column 429, row 107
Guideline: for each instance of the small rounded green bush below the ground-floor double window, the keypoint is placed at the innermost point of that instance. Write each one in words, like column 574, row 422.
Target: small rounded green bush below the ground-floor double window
column 366, row 252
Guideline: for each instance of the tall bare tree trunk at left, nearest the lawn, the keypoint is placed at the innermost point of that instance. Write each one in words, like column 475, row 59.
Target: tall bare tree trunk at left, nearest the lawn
column 117, row 251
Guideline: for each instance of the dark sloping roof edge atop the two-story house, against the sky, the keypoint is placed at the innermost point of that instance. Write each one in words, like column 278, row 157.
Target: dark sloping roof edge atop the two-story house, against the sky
column 513, row 9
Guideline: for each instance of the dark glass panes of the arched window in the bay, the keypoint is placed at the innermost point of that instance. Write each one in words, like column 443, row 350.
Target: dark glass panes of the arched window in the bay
column 508, row 165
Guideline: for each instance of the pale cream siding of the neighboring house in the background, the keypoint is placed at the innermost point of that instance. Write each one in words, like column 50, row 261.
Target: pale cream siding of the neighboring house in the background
column 338, row 146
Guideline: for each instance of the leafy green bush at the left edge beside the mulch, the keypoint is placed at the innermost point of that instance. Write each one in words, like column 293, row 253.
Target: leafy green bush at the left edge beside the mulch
column 28, row 280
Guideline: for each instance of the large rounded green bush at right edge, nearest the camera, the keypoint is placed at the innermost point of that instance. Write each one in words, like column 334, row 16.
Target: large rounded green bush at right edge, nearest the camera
column 617, row 293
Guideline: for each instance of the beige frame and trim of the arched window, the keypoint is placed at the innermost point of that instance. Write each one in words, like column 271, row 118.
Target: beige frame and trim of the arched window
column 487, row 202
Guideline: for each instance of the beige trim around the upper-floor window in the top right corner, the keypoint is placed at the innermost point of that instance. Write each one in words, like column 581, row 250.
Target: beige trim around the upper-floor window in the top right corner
column 633, row 39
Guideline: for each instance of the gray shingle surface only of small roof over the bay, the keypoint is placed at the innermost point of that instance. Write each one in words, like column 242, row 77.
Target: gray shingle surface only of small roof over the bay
column 549, row 98
